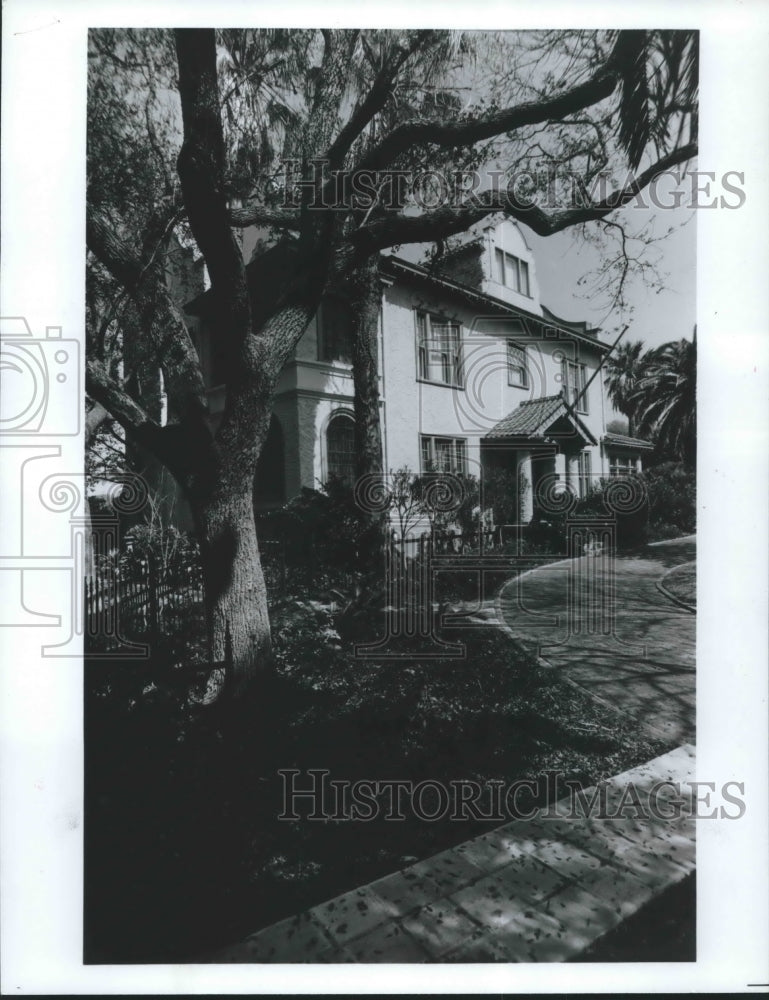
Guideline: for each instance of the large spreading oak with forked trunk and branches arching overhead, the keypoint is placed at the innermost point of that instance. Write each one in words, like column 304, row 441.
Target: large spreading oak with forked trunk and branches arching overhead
column 355, row 112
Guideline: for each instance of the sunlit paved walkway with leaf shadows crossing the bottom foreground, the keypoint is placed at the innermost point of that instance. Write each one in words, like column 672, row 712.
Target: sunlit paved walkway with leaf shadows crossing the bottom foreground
column 538, row 890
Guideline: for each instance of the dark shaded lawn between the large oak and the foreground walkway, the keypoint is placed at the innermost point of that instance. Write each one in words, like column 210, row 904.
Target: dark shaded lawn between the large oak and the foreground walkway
column 184, row 850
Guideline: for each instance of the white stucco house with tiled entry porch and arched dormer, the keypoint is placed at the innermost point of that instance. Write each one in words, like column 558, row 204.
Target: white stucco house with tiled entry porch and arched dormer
column 475, row 373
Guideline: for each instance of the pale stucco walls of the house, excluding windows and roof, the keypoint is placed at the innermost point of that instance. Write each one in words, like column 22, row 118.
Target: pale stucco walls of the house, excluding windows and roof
column 311, row 391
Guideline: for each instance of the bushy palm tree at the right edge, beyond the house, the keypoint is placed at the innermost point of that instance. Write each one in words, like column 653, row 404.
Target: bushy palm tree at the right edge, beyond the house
column 665, row 398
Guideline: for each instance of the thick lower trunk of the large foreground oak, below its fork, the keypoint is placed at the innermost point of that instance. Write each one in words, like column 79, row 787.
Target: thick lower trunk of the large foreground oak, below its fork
column 235, row 591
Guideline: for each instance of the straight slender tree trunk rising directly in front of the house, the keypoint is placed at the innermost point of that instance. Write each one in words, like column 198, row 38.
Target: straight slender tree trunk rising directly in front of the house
column 365, row 299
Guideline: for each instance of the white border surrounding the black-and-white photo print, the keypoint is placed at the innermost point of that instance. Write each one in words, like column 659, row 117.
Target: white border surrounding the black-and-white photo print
column 43, row 215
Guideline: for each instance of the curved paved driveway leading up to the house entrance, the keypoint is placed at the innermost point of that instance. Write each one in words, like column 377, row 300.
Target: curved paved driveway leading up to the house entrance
column 603, row 621
